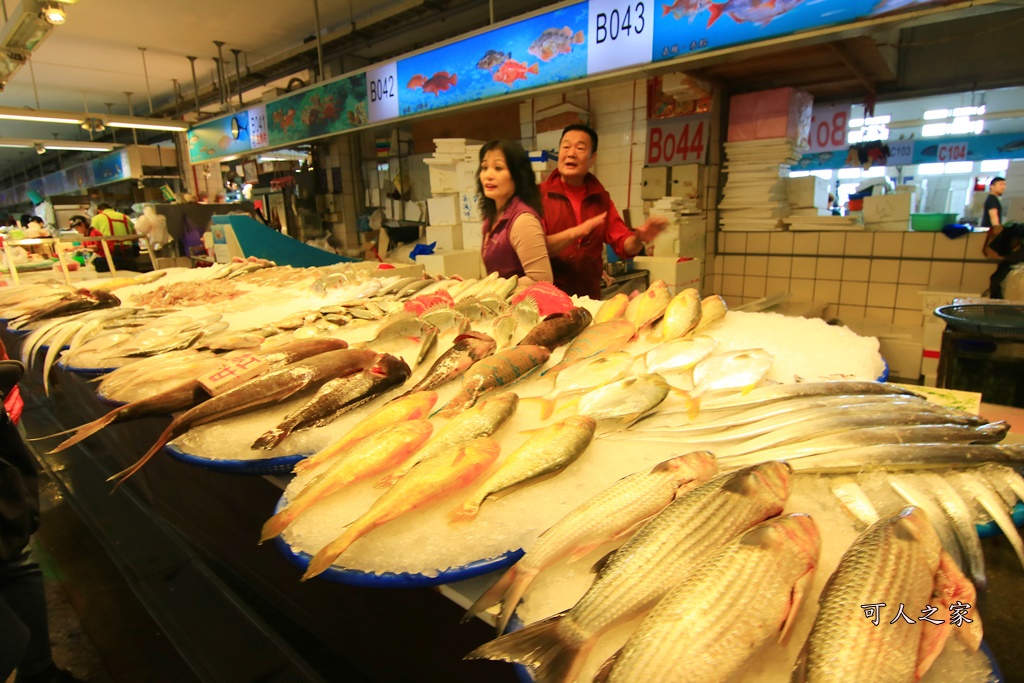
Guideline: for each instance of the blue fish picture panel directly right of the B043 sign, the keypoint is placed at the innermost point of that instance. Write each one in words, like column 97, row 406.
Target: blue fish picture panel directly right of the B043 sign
column 684, row 27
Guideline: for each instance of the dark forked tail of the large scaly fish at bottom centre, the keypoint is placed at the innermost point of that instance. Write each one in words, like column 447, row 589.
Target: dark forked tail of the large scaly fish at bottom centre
column 541, row 647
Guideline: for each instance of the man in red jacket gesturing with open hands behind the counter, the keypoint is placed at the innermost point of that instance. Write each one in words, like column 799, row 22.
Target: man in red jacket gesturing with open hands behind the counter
column 580, row 218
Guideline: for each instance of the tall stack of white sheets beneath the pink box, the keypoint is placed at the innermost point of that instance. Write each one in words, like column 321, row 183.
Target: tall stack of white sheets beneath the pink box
column 755, row 194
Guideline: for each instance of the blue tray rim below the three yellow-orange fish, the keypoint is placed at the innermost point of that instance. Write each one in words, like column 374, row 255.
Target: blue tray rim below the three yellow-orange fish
column 338, row 575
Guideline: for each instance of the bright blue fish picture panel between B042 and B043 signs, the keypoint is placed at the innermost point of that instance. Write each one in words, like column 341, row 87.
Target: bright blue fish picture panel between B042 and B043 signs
column 540, row 51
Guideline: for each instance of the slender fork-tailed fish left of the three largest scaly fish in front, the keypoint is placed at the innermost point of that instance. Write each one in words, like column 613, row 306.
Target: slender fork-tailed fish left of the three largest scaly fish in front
column 606, row 518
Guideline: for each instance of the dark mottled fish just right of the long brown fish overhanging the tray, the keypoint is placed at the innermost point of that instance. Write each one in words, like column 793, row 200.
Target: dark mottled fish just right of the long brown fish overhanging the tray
column 338, row 397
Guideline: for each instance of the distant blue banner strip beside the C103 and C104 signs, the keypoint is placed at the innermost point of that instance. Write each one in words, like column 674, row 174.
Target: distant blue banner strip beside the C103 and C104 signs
column 928, row 151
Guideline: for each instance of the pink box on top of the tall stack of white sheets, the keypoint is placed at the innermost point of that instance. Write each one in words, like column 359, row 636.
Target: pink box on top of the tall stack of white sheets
column 771, row 114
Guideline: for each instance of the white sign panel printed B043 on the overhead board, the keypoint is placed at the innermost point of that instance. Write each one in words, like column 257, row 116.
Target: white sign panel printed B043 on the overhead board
column 621, row 33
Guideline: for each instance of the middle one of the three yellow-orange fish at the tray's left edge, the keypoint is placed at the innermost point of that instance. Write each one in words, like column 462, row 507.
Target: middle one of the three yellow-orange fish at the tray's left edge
column 376, row 454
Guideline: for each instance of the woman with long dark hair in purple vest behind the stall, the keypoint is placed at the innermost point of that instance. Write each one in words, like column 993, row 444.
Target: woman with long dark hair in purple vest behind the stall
column 514, row 236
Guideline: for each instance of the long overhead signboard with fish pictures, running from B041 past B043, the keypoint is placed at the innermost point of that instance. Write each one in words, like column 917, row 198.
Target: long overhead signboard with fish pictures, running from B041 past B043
column 570, row 44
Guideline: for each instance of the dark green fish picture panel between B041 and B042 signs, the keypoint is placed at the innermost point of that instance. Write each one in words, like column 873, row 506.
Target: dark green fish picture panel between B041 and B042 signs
column 331, row 108
